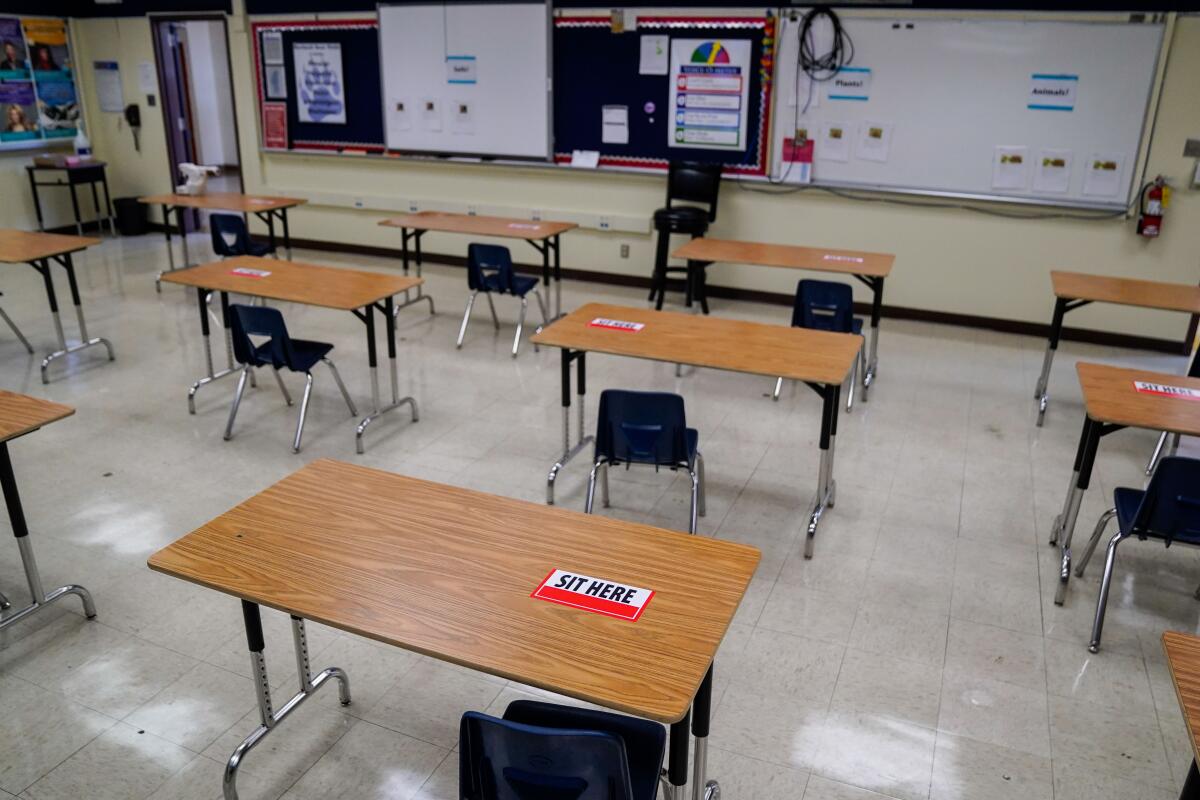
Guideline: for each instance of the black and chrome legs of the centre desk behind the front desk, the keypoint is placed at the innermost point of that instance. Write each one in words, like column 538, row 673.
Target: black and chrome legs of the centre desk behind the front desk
column 827, row 488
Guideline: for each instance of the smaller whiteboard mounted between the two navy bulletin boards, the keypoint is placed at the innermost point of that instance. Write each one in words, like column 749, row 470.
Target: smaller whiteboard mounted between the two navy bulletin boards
column 469, row 79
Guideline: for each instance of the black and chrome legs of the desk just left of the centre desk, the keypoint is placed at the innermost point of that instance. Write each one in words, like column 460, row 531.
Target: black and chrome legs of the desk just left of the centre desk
column 367, row 315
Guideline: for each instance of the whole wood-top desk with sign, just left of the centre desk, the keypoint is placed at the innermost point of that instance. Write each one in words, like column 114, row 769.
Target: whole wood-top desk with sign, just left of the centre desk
column 355, row 291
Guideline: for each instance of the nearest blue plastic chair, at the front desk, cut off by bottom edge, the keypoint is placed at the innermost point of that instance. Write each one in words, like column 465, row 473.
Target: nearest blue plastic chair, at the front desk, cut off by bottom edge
column 542, row 751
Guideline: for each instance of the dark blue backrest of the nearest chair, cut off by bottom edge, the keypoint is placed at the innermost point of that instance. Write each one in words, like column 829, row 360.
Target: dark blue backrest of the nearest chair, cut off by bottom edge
column 507, row 761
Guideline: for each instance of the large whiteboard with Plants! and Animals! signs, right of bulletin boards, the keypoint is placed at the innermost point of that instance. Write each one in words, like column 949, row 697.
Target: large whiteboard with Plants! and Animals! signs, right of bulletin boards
column 949, row 99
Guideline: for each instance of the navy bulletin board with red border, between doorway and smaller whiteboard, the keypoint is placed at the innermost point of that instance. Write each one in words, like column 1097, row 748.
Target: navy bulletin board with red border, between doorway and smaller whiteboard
column 319, row 86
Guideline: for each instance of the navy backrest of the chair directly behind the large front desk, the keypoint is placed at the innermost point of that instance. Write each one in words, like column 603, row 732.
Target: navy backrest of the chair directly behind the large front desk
column 643, row 428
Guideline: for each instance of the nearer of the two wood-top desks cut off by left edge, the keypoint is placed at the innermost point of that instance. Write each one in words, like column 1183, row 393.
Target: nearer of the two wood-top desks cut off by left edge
column 21, row 414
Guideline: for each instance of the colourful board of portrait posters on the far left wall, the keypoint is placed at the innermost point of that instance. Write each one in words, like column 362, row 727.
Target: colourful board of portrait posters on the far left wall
column 39, row 97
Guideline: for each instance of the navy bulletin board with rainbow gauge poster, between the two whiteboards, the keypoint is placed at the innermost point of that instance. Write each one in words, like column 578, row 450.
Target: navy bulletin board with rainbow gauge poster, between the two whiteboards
column 673, row 88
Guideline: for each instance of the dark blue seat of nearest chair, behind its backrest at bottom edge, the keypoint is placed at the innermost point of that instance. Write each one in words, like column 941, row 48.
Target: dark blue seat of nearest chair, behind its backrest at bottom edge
column 645, row 741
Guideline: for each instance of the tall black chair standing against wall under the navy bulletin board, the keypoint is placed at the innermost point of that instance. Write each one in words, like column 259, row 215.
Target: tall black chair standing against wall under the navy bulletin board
column 693, row 183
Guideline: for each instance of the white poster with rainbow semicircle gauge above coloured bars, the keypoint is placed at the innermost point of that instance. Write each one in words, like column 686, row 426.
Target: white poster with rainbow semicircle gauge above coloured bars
column 710, row 94
